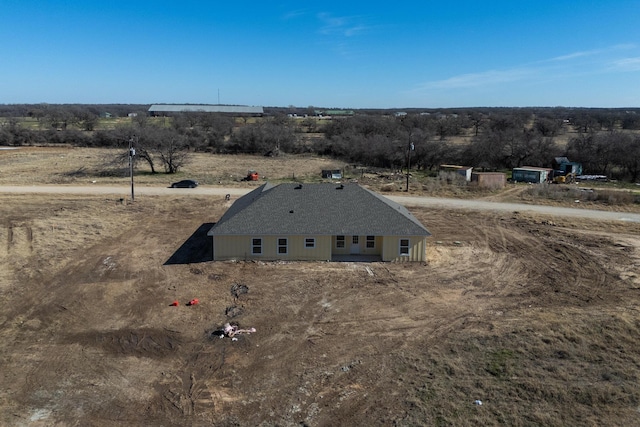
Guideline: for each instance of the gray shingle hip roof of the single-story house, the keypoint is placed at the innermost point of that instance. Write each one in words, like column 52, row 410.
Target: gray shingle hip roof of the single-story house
column 317, row 209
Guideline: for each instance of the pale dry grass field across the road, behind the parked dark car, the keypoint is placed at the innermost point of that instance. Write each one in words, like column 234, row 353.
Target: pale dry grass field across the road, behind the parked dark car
column 69, row 165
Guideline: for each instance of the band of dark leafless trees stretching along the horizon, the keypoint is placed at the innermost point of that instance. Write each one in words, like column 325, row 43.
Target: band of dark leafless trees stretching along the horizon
column 606, row 141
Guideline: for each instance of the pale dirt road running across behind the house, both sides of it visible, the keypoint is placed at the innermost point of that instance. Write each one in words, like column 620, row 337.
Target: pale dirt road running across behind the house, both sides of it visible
column 435, row 202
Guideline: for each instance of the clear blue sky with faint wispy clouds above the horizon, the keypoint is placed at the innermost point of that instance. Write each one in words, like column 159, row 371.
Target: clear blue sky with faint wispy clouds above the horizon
column 347, row 54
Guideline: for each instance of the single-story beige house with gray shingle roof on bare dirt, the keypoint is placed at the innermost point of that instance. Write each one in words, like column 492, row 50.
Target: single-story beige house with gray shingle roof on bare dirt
column 318, row 222
